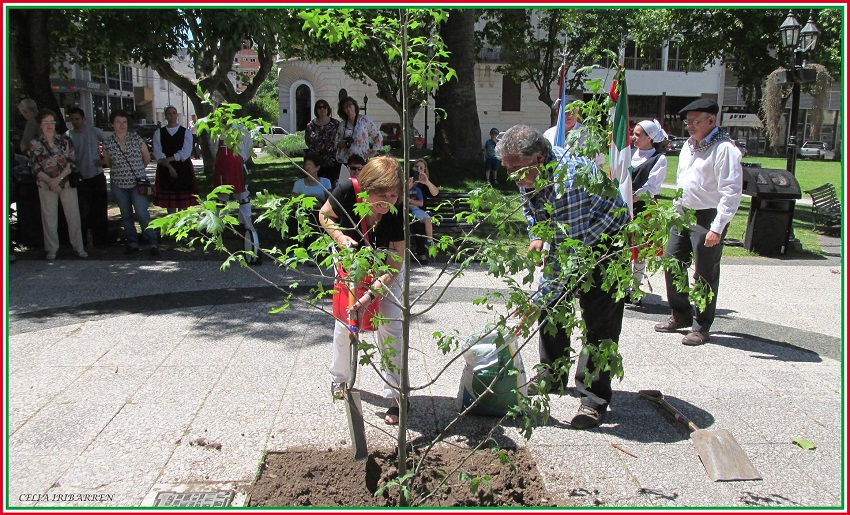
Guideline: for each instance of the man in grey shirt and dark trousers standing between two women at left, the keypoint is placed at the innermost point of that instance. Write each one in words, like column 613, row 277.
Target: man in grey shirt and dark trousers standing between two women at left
column 92, row 188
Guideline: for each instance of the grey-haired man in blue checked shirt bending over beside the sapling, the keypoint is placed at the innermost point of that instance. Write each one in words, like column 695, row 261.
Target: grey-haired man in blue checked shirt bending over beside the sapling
column 573, row 213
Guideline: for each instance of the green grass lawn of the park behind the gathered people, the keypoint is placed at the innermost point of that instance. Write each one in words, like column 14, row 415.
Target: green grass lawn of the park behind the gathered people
column 277, row 175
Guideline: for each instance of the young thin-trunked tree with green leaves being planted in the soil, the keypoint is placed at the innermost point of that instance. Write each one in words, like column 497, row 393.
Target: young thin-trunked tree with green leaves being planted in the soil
column 490, row 212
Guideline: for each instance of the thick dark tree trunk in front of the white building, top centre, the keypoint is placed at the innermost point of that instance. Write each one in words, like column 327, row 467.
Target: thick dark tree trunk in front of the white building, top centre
column 458, row 137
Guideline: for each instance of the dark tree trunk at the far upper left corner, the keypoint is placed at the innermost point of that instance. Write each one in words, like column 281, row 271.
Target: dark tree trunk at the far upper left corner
column 32, row 58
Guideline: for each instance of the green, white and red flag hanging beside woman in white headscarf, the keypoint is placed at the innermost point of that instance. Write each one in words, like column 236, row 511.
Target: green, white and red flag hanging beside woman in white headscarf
column 620, row 151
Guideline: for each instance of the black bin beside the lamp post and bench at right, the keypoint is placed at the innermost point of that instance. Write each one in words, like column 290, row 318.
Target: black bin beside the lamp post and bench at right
column 773, row 195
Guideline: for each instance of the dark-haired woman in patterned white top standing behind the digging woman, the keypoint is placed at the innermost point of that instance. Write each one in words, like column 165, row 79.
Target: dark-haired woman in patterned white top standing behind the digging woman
column 357, row 134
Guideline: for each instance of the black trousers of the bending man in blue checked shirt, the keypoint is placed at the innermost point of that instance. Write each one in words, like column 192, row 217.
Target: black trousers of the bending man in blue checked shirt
column 603, row 318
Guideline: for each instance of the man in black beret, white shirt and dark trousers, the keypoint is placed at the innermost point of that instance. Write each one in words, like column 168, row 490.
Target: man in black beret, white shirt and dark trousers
column 710, row 176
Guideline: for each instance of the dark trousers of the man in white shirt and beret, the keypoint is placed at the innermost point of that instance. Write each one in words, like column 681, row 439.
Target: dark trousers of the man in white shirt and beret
column 687, row 247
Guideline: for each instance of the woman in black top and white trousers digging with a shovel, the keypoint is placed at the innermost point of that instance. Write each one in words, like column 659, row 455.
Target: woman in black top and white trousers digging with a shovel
column 383, row 230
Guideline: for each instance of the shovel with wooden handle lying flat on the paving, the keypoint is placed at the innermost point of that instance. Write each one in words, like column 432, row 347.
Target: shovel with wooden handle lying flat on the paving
column 721, row 455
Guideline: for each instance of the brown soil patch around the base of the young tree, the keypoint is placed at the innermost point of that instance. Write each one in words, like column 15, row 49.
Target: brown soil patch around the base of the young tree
column 334, row 478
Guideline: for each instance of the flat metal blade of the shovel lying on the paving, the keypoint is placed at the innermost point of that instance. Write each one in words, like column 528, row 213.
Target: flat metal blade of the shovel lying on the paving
column 722, row 456
